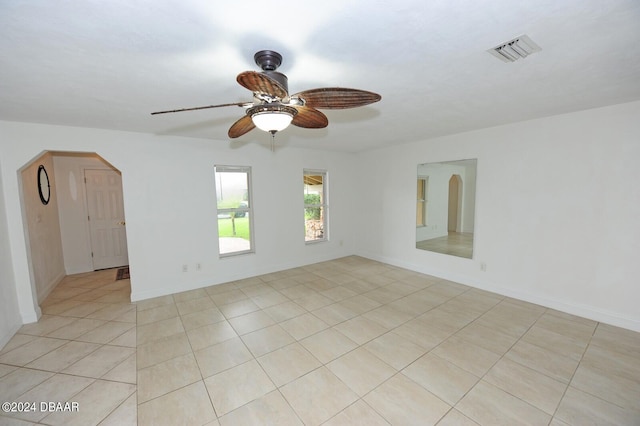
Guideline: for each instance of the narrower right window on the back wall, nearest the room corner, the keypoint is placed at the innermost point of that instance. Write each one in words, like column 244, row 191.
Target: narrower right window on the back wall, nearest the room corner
column 315, row 205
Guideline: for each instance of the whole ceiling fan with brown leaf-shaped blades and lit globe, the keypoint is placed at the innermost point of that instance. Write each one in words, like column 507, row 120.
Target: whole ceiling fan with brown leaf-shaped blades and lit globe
column 273, row 108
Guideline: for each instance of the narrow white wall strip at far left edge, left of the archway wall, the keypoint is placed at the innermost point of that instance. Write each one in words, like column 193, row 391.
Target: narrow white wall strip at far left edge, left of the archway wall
column 10, row 319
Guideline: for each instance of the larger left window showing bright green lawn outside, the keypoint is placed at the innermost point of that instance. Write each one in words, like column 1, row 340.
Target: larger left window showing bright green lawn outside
column 235, row 214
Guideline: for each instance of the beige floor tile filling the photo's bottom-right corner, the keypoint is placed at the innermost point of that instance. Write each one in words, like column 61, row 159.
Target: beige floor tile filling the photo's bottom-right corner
column 580, row 408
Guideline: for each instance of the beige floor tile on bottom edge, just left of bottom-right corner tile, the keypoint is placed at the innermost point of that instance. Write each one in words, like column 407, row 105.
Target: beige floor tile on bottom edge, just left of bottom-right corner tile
column 489, row 405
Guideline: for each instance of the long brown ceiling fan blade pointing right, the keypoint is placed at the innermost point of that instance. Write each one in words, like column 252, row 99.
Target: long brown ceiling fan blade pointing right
column 337, row 98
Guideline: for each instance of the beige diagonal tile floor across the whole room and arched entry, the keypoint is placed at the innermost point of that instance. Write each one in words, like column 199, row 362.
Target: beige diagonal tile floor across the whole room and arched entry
column 345, row 342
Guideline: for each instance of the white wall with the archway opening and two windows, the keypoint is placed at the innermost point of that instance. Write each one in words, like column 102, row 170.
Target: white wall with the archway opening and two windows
column 169, row 198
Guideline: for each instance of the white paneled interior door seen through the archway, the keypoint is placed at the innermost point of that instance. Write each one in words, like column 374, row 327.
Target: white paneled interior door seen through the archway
column 106, row 218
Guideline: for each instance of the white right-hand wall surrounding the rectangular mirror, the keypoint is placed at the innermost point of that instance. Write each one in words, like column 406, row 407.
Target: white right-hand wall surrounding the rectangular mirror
column 557, row 211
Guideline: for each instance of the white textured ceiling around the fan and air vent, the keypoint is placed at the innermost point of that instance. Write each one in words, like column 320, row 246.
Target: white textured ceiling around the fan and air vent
column 109, row 64
